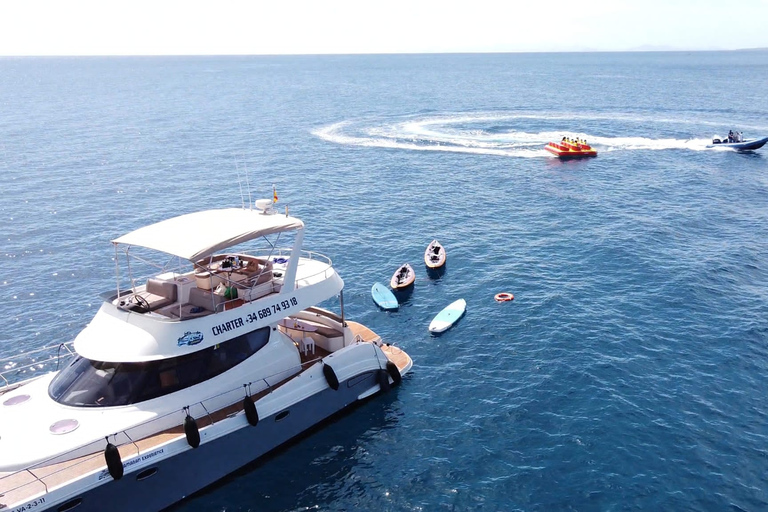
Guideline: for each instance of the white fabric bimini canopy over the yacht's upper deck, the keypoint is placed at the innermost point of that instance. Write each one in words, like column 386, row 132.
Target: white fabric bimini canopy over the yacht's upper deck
column 198, row 235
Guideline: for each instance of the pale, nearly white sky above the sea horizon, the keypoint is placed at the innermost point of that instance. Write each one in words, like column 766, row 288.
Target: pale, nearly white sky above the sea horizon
column 239, row 27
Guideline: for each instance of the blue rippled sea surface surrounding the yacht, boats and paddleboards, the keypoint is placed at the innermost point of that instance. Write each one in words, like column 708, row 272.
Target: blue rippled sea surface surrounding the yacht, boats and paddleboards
column 629, row 372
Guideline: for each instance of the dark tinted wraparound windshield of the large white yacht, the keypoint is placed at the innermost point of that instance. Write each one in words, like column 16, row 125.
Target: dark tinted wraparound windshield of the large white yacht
column 87, row 383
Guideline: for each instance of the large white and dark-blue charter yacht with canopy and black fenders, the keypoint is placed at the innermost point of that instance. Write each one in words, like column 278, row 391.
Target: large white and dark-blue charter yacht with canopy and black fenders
column 218, row 357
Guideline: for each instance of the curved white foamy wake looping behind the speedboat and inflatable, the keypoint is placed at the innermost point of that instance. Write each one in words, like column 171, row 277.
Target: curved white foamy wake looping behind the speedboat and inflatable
column 521, row 135
